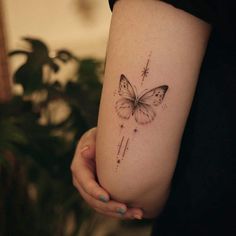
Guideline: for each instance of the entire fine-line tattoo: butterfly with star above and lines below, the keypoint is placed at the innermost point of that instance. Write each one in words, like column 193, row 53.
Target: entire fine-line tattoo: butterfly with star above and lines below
column 141, row 107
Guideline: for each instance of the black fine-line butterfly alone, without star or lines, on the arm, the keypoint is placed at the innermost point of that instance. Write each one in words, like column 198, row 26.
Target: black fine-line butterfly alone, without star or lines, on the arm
column 141, row 107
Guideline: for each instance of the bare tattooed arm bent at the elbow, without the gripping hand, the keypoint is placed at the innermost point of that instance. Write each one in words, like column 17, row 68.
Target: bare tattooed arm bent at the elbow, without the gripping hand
column 153, row 61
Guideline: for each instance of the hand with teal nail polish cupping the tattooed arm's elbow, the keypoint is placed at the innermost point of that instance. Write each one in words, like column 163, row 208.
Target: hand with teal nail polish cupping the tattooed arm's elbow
column 83, row 169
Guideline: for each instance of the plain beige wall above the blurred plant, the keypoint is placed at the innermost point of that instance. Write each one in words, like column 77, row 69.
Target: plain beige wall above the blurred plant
column 61, row 23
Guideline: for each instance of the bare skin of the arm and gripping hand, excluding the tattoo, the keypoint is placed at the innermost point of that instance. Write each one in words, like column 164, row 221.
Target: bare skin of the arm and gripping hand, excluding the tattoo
column 177, row 41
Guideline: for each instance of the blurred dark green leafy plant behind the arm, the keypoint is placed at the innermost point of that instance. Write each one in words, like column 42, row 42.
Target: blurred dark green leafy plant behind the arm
column 37, row 142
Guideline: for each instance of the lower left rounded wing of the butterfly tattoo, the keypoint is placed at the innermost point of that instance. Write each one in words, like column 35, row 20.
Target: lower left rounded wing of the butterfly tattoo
column 124, row 108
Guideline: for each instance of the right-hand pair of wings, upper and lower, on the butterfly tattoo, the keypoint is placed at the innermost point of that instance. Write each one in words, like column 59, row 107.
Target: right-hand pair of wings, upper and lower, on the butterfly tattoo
column 144, row 112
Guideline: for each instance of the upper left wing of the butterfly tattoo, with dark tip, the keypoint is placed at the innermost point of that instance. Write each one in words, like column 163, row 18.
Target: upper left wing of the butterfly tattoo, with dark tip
column 125, row 88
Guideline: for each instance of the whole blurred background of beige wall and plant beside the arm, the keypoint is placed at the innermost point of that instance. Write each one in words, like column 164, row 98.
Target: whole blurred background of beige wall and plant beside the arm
column 52, row 61
